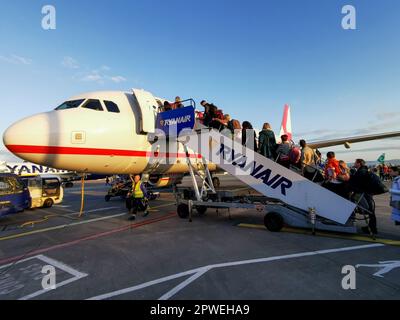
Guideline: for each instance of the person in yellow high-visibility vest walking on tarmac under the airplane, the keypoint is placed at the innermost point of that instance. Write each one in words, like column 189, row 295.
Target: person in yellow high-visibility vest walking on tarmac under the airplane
column 137, row 198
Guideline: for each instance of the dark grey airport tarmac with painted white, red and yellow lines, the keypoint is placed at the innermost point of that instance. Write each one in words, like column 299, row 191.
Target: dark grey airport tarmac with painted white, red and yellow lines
column 103, row 255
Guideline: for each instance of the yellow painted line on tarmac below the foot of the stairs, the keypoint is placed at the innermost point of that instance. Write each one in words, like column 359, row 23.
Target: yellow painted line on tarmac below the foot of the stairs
column 327, row 234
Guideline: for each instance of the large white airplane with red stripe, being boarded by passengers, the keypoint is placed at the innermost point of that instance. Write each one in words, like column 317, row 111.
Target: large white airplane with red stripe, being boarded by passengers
column 112, row 132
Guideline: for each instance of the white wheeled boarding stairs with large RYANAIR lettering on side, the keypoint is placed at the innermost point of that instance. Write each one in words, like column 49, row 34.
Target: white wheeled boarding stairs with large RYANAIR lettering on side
column 287, row 197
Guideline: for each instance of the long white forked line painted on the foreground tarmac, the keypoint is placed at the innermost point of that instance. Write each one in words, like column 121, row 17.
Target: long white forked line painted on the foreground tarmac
column 198, row 272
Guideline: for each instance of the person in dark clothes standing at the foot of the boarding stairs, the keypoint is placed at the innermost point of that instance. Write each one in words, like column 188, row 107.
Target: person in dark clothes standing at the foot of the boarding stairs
column 359, row 183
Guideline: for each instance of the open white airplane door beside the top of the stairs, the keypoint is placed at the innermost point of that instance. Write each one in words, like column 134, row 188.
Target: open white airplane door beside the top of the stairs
column 148, row 110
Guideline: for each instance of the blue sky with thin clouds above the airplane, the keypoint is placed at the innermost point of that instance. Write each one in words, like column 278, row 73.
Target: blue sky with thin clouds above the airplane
column 248, row 57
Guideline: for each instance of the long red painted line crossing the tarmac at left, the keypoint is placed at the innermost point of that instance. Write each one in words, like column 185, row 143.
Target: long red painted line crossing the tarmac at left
column 91, row 237
